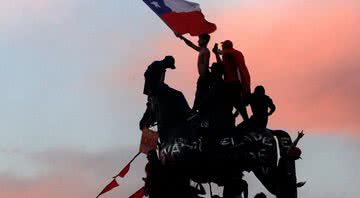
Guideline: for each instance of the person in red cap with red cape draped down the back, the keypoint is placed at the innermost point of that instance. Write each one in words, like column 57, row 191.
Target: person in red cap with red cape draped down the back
column 236, row 76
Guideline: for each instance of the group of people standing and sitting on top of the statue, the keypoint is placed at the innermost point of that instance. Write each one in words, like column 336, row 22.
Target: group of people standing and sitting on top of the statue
column 234, row 74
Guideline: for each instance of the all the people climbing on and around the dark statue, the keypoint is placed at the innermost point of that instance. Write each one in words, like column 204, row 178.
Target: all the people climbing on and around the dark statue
column 221, row 88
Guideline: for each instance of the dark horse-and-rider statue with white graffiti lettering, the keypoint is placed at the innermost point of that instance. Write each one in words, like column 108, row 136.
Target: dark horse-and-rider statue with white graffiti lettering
column 186, row 156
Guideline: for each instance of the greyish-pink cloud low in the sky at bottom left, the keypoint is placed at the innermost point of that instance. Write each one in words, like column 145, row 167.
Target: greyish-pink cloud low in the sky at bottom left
column 76, row 174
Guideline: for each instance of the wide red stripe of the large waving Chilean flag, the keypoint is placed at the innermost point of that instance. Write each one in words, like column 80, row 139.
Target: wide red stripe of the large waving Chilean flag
column 188, row 22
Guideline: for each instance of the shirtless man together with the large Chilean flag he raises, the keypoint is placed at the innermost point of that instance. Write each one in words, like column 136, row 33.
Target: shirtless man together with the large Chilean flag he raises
column 184, row 17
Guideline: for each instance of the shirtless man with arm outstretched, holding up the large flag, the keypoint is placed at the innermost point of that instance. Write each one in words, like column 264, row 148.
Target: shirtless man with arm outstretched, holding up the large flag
column 203, row 61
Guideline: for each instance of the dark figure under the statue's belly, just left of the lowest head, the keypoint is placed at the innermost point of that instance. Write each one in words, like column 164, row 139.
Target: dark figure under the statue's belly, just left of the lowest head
column 235, row 188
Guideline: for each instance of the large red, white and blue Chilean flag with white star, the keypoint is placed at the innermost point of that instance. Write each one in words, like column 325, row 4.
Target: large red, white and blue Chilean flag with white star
column 182, row 16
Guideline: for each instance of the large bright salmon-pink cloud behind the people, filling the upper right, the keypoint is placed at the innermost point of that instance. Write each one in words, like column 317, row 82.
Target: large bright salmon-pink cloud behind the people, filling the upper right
column 306, row 55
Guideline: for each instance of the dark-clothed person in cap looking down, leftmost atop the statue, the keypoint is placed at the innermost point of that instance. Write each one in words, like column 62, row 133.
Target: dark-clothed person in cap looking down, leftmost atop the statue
column 154, row 76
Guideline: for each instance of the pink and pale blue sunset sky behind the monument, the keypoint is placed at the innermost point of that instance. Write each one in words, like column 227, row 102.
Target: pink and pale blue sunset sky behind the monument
column 71, row 78
